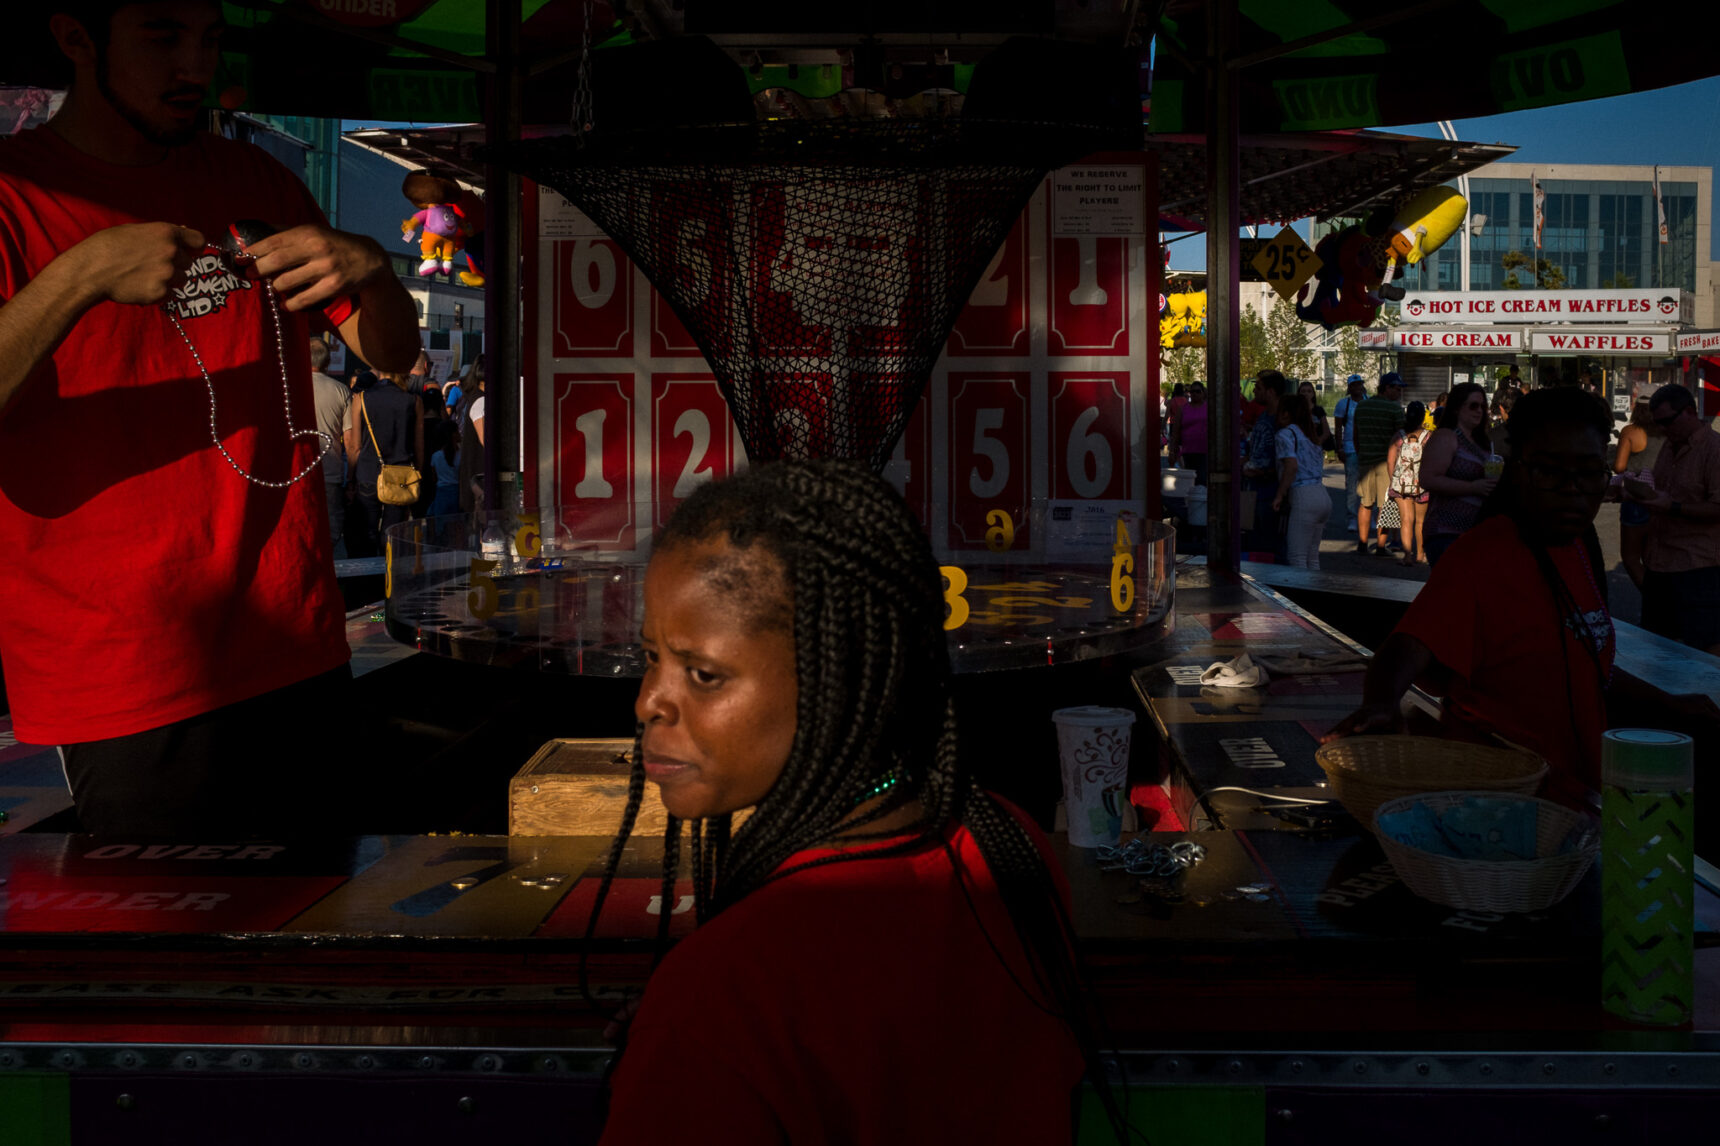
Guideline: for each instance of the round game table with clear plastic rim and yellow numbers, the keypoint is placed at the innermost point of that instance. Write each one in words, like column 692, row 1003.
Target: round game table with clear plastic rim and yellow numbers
column 517, row 589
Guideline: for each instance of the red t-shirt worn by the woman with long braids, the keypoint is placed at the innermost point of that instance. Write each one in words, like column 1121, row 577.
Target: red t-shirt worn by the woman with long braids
column 859, row 1002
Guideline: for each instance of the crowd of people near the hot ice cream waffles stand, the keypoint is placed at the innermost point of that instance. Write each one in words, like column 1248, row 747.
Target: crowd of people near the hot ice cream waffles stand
column 1418, row 477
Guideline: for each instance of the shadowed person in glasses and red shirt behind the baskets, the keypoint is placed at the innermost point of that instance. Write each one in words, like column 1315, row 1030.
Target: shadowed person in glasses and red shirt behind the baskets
column 1532, row 667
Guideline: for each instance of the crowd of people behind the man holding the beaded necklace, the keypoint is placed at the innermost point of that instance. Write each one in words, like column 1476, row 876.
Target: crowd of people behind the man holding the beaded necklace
column 396, row 419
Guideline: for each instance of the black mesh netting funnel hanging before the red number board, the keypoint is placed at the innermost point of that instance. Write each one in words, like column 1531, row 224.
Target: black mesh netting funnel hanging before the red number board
column 818, row 264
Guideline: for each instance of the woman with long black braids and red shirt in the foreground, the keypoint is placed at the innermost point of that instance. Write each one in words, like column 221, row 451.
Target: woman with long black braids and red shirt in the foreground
column 883, row 951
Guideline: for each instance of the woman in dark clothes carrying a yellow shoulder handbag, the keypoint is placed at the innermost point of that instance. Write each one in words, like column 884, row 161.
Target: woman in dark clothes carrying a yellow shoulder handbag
column 386, row 450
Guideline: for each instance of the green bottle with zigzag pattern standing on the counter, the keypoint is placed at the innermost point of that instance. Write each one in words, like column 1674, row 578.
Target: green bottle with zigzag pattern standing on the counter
column 1649, row 887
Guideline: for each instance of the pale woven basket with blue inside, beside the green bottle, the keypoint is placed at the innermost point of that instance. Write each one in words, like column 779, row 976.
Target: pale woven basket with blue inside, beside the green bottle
column 1477, row 885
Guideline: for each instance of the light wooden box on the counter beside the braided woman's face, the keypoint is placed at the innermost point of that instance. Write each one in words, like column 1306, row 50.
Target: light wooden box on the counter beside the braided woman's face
column 579, row 789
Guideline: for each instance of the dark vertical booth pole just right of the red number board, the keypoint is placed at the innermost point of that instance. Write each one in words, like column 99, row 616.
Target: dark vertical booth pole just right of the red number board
column 1224, row 290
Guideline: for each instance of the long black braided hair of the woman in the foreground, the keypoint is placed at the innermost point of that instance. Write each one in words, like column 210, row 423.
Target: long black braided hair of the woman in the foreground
column 875, row 698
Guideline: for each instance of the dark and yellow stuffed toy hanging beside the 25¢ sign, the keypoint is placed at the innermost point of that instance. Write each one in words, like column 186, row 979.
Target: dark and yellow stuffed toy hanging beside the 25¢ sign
column 1358, row 264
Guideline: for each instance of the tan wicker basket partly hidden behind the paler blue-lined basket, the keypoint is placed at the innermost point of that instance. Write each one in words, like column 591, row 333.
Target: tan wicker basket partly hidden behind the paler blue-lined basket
column 1367, row 772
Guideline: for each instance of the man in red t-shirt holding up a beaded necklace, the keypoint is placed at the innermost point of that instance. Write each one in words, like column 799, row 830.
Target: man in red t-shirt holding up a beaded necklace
column 171, row 622
